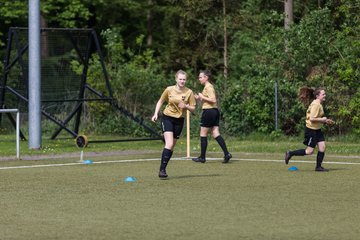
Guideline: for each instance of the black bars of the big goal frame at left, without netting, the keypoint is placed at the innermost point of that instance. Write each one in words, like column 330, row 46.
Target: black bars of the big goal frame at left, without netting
column 92, row 46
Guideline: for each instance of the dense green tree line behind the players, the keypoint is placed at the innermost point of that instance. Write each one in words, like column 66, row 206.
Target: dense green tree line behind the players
column 260, row 52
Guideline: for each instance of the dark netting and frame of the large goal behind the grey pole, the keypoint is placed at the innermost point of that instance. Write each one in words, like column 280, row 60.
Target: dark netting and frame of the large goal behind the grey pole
column 66, row 89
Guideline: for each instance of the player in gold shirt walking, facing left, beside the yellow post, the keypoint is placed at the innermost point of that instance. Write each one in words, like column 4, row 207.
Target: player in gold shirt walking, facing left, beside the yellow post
column 210, row 118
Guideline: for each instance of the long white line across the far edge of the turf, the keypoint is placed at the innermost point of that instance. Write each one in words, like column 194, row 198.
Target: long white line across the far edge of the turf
column 157, row 159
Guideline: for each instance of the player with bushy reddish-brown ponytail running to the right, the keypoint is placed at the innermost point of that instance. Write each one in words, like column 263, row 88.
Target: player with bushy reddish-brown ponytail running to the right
column 314, row 120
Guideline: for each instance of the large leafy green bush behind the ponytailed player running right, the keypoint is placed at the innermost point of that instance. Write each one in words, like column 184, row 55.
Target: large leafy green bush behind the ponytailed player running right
column 312, row 53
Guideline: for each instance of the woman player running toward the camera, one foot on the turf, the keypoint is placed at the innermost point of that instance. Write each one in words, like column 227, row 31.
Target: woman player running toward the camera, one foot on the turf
column 179, row 99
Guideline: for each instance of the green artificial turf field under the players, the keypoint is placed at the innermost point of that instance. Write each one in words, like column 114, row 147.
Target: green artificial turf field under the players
column 253, row 197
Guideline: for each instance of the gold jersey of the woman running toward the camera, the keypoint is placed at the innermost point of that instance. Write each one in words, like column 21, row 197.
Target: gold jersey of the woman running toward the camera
column 173, row 97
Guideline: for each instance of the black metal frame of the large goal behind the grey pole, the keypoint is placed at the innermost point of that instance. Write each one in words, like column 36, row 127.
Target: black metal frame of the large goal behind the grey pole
column 92, row 43
